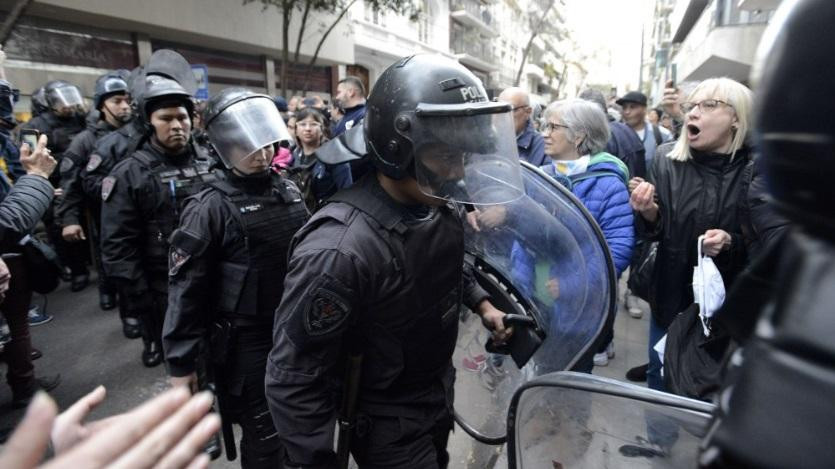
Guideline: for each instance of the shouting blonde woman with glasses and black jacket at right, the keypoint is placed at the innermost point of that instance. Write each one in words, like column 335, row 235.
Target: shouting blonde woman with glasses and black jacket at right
column 693, row 190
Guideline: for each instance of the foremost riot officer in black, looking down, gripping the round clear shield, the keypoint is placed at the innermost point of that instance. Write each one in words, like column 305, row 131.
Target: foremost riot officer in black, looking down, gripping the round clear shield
column 378, row 275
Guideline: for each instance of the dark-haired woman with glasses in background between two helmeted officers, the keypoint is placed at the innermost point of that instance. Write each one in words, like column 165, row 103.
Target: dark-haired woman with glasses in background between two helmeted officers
column 315, row 179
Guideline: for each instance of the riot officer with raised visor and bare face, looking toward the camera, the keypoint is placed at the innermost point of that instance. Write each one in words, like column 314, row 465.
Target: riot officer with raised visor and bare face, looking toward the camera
column 141, row 203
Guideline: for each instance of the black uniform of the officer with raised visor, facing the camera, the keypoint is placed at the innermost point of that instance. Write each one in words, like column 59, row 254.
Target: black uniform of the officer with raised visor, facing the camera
column 141, row 204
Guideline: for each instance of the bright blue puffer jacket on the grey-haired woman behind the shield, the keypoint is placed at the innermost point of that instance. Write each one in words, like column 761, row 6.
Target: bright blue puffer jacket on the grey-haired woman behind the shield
column 602, row 189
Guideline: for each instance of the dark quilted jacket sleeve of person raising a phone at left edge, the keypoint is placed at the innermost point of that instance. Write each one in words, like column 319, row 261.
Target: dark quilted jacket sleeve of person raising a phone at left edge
column 23, row 206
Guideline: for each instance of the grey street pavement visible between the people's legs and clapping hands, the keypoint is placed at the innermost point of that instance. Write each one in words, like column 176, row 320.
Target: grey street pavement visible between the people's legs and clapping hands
column 86, row 346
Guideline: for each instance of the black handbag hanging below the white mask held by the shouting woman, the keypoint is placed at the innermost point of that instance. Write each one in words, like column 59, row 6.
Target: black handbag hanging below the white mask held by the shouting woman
column 693, row 362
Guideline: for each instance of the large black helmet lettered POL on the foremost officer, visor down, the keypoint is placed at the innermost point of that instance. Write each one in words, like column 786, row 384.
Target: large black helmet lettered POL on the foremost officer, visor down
column 429, row 117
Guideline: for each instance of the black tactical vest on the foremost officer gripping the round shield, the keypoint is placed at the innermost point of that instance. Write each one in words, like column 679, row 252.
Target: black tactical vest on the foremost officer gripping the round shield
column 409, row 333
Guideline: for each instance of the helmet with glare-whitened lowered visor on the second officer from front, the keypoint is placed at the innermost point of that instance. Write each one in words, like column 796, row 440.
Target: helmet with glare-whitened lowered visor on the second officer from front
column 240, row 122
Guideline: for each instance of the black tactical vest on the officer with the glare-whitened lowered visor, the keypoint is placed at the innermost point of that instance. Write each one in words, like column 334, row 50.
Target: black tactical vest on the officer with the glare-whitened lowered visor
column 268, row 222
